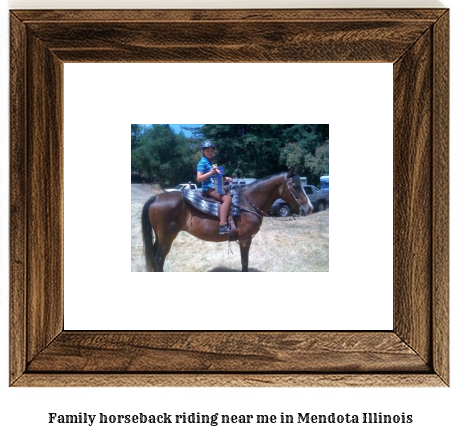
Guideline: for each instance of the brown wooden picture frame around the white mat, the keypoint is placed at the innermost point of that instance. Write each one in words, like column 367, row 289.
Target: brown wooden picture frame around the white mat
column 414, row 353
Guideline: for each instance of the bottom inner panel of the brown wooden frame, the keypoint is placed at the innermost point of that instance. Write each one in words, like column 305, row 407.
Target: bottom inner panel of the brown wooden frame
column 236, row 352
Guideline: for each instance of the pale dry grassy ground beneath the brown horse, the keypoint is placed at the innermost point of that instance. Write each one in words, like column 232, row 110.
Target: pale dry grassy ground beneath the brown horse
column 292, row 244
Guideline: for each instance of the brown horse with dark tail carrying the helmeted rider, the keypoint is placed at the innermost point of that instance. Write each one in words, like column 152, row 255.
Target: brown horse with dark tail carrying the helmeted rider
column 167, row 214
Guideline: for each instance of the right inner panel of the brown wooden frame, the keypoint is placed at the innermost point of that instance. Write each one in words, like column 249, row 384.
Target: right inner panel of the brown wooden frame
column 413, row 196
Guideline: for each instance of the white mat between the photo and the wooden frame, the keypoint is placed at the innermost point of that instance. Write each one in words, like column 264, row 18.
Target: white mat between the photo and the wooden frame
column 101, row 102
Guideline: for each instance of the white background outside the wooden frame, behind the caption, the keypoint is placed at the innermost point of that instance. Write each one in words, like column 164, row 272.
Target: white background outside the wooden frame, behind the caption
column 435, row 411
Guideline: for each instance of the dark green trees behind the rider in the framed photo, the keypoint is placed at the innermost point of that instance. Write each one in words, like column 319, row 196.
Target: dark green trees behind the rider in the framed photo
column 160, row 155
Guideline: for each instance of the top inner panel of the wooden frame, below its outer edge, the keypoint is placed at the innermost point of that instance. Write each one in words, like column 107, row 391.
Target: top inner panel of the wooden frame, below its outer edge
column 245, row 41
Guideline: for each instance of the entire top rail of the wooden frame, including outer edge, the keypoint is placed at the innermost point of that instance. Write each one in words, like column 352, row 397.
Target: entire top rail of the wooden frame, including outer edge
column 229, row 36
